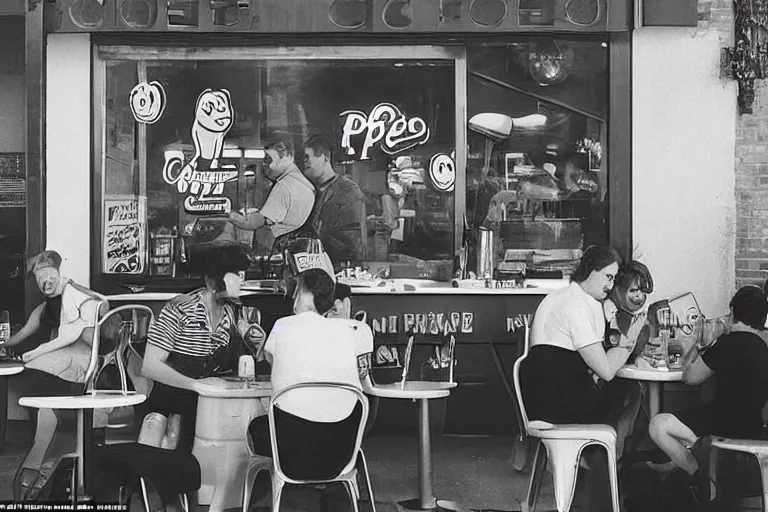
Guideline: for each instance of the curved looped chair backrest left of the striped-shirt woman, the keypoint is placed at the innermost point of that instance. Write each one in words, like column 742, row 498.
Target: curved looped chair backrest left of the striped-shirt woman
column 130, row 320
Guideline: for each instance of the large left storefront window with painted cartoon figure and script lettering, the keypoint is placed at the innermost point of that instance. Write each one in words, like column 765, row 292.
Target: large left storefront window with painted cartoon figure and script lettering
column 184, row 144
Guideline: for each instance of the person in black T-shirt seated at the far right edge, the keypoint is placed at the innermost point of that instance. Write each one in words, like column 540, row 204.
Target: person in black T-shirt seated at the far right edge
column 739, row 359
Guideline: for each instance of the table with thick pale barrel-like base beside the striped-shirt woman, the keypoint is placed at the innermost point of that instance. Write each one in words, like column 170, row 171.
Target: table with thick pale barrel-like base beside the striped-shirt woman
column 223, row 416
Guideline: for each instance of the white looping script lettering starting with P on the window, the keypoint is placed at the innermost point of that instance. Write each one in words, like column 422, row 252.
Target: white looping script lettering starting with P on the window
column 385, row 124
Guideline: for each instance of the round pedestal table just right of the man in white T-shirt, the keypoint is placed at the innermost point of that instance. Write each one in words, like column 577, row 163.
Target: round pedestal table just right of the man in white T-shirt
column 423, row 392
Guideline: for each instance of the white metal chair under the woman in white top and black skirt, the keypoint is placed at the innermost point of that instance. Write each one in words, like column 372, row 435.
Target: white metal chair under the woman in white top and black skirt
column 563, row 445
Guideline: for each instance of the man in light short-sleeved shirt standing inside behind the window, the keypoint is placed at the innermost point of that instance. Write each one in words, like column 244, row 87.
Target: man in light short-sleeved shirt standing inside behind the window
column 289, row 202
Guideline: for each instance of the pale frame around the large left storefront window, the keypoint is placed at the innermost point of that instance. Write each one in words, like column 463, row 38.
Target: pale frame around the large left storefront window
column 141, row 54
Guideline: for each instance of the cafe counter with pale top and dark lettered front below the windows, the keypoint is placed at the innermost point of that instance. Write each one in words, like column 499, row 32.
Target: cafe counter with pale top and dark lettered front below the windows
column 487, row 324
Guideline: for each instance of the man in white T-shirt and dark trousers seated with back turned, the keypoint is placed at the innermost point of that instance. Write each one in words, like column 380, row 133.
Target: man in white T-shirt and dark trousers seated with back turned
column 308, row 347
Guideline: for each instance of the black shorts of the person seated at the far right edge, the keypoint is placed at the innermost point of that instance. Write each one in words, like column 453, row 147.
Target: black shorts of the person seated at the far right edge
column 711, row 420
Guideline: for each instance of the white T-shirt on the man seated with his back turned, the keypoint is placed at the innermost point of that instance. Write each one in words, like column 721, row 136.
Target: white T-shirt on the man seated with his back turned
column 310, row 348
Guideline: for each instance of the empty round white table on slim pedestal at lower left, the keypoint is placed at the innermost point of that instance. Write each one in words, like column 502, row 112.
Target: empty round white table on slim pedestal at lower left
column 82, row 403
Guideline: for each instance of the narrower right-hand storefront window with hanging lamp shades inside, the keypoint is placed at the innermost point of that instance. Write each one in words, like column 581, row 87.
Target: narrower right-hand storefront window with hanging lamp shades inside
column 536, row 169
